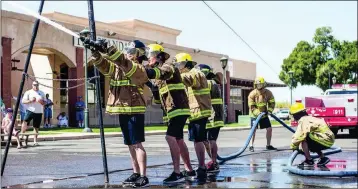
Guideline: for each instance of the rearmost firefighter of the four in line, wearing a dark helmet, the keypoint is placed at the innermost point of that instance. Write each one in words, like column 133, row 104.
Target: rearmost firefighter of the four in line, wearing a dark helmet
column 215, row 122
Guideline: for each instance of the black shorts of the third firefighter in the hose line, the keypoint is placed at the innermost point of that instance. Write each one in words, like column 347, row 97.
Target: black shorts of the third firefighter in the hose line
column 197, row 130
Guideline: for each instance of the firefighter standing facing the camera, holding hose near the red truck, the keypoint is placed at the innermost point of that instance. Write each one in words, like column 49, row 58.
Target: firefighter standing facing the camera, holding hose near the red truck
column 261, row 100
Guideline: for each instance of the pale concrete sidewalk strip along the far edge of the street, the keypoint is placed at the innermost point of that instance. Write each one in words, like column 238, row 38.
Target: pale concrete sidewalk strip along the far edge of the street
column 74, row 136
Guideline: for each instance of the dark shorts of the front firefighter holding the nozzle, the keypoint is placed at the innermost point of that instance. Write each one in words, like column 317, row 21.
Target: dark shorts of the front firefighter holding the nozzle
column 132, row 127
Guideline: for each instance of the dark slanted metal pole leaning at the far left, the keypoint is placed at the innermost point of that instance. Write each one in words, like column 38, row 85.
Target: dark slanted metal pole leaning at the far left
column 27, row 63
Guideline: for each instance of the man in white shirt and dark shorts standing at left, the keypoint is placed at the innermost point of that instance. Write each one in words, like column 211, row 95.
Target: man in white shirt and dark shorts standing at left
column 34, row 99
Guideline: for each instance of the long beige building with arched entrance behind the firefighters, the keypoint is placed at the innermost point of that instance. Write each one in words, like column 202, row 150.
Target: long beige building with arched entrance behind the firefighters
column 58, row 55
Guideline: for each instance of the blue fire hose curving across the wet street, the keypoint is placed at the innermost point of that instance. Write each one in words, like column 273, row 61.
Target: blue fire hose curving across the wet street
column 293, row 169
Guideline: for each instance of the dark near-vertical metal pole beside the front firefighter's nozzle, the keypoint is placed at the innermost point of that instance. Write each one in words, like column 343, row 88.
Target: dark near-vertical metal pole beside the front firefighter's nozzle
column 92, row 26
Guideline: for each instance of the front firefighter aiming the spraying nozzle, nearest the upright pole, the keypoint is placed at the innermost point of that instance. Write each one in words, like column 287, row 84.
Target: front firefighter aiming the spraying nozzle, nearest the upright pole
column 125, row 97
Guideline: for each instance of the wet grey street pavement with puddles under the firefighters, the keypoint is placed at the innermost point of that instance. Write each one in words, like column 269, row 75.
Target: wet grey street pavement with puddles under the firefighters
column 78, row 164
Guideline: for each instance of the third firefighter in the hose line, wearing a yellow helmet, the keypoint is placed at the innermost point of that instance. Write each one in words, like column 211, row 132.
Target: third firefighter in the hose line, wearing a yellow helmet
column 200, row 106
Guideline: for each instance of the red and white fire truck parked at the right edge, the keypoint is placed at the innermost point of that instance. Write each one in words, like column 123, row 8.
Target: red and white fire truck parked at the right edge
column 337, row 106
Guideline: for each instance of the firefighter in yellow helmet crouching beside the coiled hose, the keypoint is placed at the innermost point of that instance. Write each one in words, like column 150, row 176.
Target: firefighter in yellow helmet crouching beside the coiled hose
column 312, row 133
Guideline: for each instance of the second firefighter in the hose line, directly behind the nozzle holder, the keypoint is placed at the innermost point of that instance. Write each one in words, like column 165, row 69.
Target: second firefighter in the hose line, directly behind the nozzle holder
column 174, row 101
